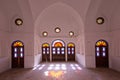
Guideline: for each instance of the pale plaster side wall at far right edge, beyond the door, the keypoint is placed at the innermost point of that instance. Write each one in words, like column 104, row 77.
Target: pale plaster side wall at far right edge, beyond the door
column 115, row 39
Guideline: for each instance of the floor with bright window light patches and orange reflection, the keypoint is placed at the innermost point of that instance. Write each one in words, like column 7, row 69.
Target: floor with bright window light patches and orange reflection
column 60, row 71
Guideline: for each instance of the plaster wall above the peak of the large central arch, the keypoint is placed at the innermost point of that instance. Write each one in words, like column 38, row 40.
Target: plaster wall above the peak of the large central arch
column 80, row 5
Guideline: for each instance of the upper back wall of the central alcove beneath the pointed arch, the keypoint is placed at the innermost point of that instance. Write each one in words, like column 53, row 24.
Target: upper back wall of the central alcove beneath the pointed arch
column 59, row 15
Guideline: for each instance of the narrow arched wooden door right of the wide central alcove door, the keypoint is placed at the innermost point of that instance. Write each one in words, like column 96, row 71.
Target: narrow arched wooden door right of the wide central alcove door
column 71, row 52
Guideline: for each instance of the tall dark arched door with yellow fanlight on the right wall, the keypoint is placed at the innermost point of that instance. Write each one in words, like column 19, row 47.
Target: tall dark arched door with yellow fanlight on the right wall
column 101, row 53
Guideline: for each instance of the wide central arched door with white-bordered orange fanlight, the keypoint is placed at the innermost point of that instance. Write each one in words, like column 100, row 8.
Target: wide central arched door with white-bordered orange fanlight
column 58, row 50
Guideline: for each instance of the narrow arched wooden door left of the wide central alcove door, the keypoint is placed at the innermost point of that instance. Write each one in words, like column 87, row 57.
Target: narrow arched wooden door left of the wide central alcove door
column 45, row 52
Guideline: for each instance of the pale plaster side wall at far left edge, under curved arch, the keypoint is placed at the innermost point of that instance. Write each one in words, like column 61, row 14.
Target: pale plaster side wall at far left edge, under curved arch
column 4, row 38
